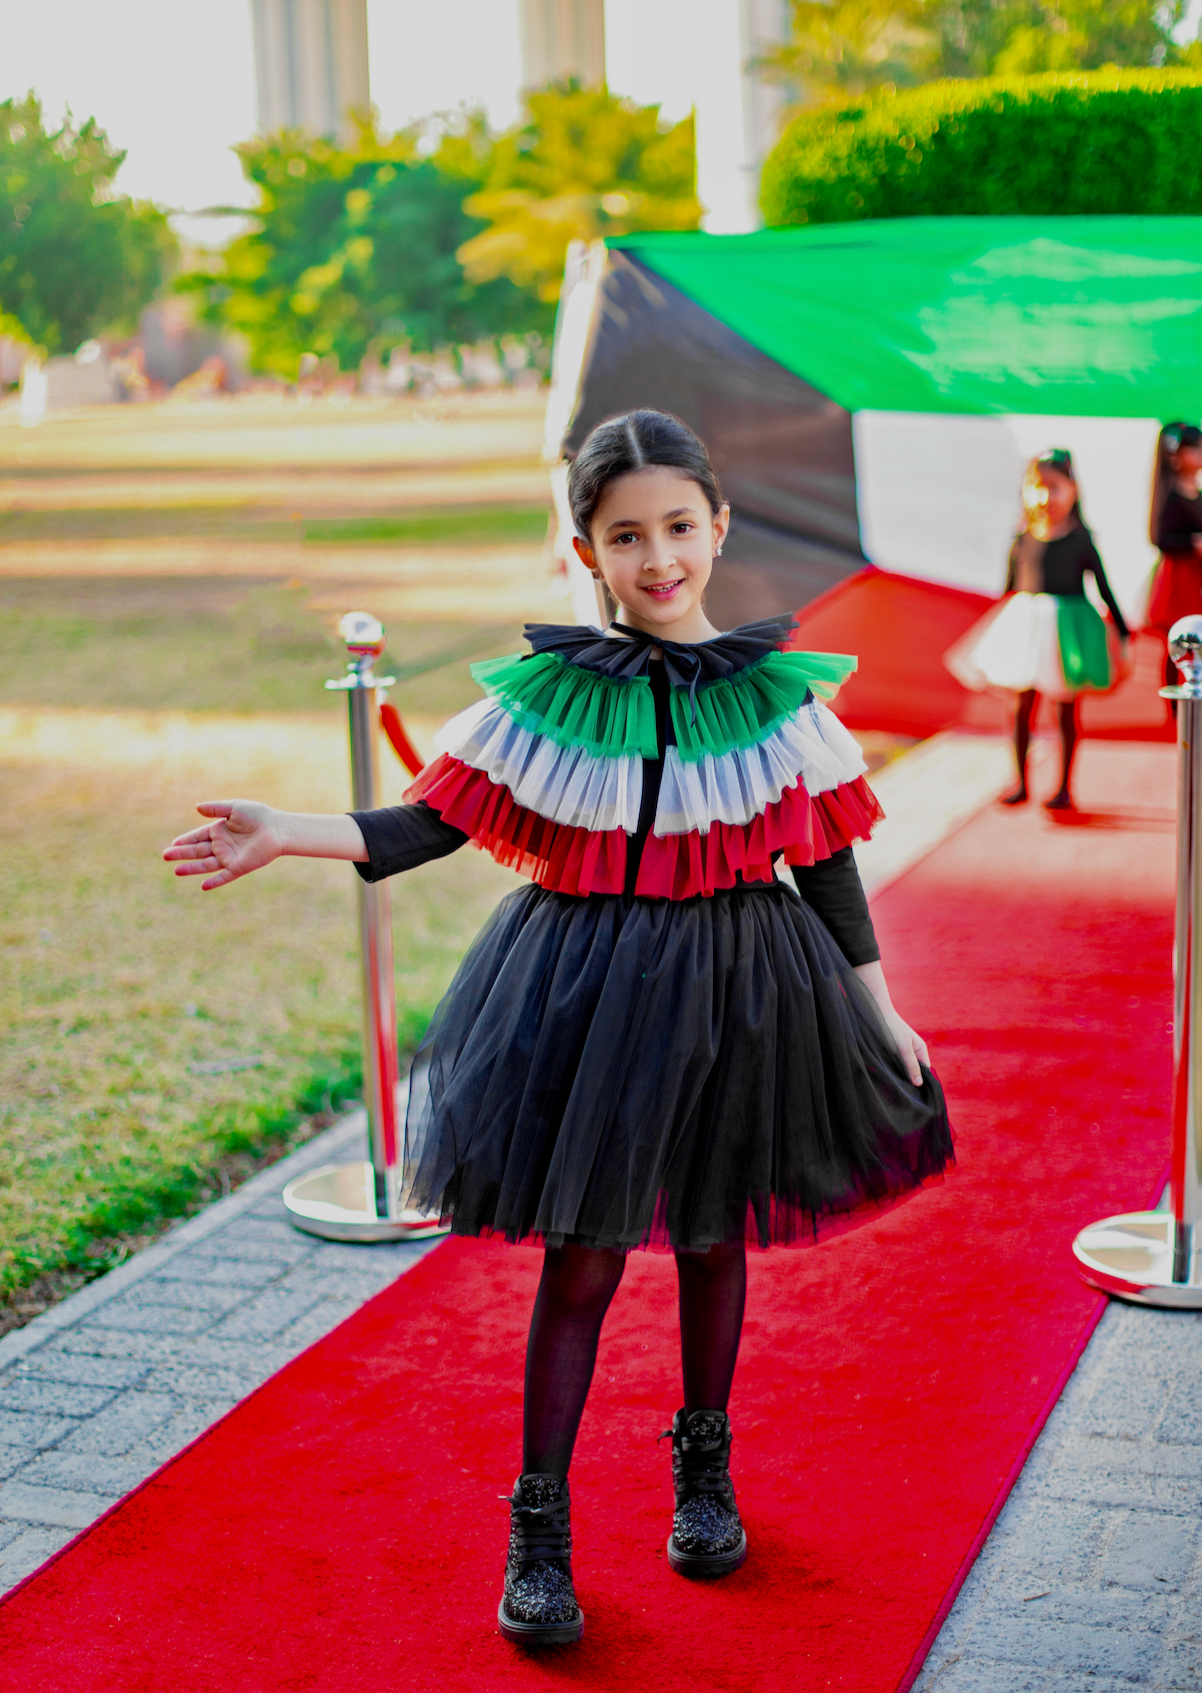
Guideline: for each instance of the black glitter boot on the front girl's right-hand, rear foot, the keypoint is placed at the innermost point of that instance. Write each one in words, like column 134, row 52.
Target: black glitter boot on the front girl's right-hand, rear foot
column 707, row 1535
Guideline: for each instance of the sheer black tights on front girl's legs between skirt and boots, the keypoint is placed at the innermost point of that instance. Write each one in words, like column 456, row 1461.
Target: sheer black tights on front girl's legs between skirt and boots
column 575, row 1294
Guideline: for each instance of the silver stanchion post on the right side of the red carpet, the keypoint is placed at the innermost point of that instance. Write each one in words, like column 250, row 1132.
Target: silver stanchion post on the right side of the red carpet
column 1155, row 1257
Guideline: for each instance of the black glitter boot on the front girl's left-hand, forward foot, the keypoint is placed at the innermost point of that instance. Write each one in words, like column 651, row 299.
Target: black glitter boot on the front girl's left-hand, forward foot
column 539, row 1602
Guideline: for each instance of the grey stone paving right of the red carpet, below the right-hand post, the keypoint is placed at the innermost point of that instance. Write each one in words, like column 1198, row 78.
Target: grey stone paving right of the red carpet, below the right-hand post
column 1093, row 1577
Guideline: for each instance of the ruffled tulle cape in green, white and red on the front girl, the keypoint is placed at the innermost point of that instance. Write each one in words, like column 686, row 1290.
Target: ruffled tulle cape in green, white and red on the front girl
column 548, row 771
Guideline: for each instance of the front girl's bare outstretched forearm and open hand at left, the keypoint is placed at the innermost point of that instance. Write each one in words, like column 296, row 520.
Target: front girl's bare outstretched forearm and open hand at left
column 246, row 835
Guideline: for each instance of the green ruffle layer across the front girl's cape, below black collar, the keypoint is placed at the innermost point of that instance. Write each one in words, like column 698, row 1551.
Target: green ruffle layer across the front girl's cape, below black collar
column 578, row 709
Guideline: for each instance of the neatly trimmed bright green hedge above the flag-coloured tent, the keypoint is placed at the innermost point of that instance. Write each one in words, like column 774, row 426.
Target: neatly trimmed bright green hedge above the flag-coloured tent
column 1074, row 143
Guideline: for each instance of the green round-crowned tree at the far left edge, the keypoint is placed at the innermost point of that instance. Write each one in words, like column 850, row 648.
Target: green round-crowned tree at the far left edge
column 75, row 256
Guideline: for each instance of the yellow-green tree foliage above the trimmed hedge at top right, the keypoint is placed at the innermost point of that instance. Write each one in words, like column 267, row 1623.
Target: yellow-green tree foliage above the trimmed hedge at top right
column 846, row 48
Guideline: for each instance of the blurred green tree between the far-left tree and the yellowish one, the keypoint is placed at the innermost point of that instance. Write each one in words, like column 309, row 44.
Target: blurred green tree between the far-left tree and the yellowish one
column 356, row 248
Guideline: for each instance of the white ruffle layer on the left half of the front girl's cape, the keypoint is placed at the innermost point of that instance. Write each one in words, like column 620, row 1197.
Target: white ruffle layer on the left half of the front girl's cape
column 565, row 785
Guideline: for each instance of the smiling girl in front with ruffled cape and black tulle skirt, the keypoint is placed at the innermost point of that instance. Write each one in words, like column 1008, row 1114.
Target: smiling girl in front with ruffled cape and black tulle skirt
column 658, row 1044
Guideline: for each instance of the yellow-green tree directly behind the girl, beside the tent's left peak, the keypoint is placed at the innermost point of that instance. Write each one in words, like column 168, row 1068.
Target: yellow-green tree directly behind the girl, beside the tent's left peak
column 585, row 165
